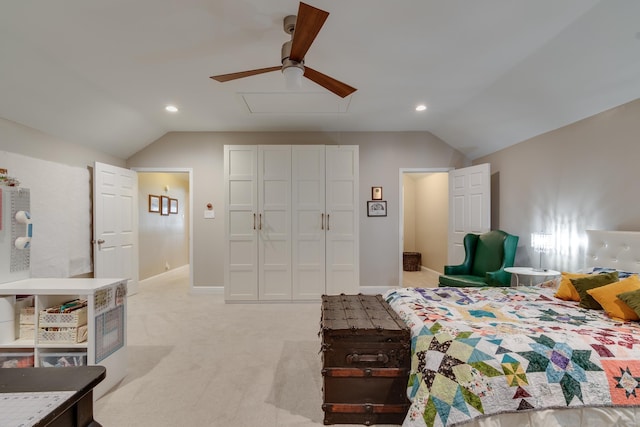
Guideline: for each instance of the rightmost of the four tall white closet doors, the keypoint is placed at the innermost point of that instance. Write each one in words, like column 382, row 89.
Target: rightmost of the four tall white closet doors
column 343, row 274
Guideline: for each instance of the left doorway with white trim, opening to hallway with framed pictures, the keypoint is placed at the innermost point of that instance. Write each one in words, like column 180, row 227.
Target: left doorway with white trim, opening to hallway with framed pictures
column 165, row 237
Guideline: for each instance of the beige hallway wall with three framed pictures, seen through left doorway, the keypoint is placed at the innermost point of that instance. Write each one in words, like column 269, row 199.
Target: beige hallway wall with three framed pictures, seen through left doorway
column 163, row 240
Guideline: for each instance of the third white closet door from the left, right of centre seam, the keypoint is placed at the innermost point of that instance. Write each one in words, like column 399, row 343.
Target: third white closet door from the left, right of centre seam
column 308, row 221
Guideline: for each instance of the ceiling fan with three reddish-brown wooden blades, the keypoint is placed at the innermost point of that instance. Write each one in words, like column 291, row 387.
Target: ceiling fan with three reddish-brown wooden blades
column 303, row 29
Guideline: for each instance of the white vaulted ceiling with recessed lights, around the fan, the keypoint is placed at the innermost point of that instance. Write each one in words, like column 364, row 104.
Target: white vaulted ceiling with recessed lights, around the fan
column 491, row 72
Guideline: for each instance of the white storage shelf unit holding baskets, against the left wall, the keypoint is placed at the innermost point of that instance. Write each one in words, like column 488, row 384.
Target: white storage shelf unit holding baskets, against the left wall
column 106, row 328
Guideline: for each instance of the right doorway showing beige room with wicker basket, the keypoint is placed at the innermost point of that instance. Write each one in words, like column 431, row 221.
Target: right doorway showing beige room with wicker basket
column 424, row 222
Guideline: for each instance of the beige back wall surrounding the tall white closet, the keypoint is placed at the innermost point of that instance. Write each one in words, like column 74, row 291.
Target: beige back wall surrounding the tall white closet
column 382, row 155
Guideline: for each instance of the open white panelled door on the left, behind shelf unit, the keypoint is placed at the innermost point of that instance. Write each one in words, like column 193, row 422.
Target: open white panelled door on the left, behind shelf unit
column 115, row 224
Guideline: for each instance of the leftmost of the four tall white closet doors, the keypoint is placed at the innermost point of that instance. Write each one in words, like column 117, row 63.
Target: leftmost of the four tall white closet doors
column 241, row 254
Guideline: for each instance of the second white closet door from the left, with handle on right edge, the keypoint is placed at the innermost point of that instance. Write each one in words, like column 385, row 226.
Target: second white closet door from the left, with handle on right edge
column 274, row 222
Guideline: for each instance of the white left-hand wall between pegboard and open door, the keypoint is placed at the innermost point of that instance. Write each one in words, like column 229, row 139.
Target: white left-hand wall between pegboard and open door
column 58, row 175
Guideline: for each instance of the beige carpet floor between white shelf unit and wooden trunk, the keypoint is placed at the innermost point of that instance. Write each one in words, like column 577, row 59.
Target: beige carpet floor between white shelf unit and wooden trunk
column 196, row 361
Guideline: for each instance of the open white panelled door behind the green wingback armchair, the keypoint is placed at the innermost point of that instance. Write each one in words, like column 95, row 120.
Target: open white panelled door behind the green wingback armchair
column 469, row 206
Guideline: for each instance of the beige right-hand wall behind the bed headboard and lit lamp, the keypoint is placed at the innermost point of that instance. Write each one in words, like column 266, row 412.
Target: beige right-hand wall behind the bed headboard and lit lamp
column 579, row 177
